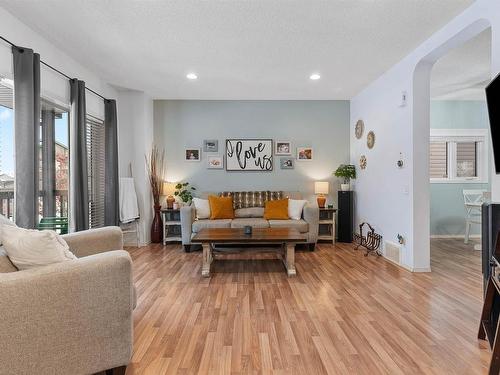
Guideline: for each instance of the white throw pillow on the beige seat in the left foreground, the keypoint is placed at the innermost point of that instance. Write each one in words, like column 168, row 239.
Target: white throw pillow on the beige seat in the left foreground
column 32, row 248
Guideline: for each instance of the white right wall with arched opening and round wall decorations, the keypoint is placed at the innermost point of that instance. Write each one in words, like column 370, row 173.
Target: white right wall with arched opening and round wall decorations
column 397, row 200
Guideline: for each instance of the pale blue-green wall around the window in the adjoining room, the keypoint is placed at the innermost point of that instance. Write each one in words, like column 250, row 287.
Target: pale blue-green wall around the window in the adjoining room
column 447, row 204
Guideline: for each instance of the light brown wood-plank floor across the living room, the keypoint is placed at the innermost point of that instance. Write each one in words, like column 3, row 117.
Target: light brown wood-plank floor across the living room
column 342, row 314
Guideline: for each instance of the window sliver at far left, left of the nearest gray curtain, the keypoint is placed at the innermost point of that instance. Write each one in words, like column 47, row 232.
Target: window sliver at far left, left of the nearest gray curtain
column 7, row 176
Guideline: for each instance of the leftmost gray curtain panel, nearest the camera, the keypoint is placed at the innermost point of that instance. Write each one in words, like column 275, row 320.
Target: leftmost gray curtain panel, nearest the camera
column 26, row 135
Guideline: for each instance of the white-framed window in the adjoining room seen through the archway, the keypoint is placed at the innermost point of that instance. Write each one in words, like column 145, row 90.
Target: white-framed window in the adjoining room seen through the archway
column 458, row 155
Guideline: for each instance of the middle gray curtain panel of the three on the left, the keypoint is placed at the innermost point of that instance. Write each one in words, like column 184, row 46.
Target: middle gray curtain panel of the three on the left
column 79, row 188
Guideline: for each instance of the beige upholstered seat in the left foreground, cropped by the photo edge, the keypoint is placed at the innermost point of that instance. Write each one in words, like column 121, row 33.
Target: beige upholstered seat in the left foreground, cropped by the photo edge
column 73, row 317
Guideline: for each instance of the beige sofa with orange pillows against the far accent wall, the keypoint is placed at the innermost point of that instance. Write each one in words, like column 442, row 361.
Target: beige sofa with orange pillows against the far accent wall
column 253, row 216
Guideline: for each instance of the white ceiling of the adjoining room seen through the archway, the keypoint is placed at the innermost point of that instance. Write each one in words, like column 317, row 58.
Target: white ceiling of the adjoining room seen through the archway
column 463, row 73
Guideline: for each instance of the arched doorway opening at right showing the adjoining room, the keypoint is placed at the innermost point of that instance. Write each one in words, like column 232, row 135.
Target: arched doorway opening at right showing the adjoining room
column 459, row 148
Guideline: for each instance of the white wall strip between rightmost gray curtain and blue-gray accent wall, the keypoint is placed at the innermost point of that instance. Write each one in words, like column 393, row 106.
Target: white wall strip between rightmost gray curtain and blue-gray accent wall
column 135, row 137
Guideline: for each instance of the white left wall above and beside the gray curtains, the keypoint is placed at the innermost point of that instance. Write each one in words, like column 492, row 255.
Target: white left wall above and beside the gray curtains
column 135, row 109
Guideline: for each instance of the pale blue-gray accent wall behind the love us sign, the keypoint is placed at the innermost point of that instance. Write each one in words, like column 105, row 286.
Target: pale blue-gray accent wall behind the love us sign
column 323, row 125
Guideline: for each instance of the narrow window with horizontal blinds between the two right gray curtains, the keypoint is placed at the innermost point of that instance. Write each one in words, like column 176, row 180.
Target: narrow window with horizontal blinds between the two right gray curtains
column 95, row 149
